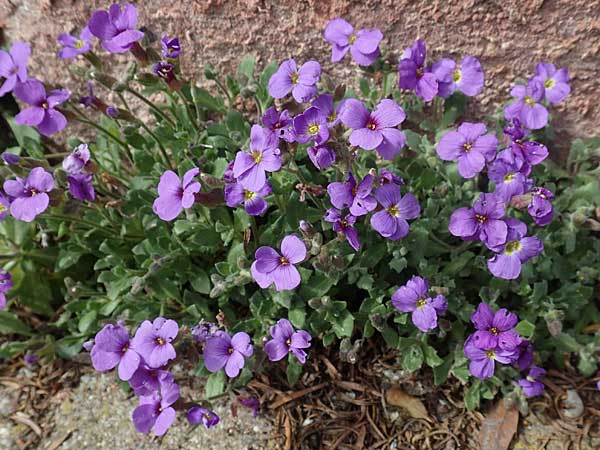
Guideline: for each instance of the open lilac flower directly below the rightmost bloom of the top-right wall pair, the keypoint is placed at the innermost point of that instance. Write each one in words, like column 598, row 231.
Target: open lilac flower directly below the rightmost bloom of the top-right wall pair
column 470, row 146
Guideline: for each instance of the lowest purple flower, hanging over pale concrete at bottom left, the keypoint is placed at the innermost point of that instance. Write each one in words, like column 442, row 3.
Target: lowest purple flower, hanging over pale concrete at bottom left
column 155, row 411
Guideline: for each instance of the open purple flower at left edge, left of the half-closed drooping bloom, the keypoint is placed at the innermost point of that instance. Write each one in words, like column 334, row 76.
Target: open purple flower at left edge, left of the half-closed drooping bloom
column 29, row 195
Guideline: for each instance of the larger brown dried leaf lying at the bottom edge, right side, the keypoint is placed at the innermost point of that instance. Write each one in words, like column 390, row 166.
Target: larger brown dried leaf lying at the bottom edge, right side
column 499, row 427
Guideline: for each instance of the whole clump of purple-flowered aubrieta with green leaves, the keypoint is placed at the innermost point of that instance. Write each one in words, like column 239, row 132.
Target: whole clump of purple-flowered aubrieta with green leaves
column 290, row 211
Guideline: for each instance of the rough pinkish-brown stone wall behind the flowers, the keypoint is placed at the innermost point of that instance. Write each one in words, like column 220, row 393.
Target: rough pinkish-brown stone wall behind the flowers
column 509, row 37
